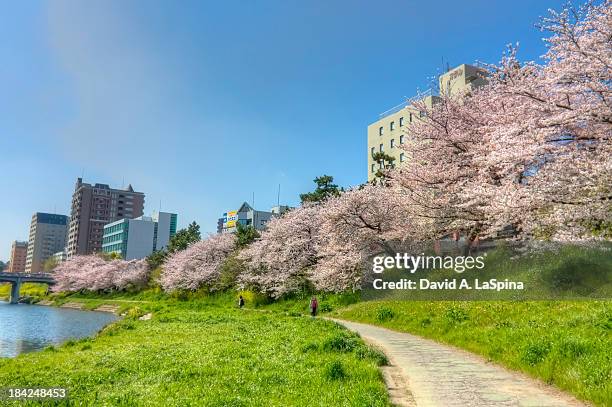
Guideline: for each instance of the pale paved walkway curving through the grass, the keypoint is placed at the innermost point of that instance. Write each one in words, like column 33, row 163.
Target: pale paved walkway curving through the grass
column 444, row 376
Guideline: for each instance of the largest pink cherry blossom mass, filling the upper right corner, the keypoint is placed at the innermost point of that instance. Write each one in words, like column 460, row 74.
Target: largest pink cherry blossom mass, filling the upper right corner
column 530, row 150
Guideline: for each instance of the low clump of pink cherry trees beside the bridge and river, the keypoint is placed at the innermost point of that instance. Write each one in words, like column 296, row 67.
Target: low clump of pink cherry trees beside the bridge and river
column 93, row 273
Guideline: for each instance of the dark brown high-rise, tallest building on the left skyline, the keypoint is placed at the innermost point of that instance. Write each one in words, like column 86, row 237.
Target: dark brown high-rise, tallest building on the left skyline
column 94, row 206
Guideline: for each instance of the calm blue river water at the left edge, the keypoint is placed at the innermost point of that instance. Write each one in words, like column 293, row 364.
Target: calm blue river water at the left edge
column 25, row 328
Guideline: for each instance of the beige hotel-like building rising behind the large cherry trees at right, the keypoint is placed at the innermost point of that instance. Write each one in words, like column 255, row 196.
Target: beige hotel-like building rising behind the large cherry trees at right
column 390, row 131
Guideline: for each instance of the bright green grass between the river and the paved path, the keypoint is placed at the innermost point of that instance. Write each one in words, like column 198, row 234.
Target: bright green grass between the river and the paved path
column 203, row 353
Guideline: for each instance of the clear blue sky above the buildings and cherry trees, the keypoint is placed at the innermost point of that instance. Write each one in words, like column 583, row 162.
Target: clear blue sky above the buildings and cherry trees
column 199, row 104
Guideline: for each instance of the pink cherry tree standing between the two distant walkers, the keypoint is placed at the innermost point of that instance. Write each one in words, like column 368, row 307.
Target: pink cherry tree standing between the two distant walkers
column 282, row 258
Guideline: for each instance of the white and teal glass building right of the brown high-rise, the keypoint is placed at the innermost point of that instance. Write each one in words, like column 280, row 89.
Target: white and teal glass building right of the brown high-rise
column 138, row 238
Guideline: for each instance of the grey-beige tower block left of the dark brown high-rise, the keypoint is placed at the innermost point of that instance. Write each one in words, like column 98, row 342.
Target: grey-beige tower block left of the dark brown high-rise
column 47, row 237
